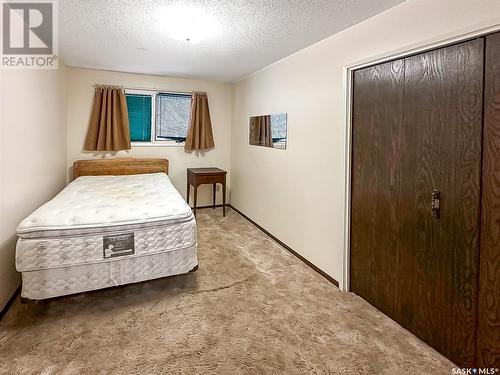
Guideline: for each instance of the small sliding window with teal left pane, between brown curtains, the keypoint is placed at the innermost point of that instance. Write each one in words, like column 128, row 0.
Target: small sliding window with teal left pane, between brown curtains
column 158, row 117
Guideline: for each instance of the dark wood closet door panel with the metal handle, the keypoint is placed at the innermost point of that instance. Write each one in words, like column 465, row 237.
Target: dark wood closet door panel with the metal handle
column 443, row 125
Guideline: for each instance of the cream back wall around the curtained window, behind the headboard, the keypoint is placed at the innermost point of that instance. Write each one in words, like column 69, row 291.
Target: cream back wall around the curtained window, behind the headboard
column 80, row 96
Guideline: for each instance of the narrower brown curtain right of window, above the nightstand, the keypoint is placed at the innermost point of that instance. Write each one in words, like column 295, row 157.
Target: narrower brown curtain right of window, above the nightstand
column 199, row 135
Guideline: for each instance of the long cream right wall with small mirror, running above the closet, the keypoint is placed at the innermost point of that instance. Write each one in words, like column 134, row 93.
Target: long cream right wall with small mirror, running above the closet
column 298, row 194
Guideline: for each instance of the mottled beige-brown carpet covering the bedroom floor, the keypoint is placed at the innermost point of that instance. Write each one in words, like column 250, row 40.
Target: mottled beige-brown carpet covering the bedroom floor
column 251, row 308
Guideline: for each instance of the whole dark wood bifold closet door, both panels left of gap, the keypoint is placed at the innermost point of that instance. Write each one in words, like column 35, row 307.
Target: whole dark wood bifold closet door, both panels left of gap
column 426, row 266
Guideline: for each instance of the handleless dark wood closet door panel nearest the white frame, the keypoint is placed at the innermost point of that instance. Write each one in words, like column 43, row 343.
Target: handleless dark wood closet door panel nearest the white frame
column 377, row 148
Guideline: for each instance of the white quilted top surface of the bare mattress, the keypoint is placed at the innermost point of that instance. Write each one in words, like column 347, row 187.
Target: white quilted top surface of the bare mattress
column 98, row 202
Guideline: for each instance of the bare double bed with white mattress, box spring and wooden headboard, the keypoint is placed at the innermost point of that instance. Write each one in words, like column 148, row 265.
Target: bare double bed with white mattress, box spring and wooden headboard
column 119, row 221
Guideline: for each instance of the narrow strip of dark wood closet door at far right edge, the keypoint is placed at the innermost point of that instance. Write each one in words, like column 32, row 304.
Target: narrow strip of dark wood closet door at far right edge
column 488, row 349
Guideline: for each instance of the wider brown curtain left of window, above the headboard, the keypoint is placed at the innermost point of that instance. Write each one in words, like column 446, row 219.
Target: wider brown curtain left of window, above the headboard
column 108, row 128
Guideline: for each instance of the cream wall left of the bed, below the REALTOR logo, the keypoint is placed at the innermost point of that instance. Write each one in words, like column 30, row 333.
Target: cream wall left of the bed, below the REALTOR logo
column 32, row 155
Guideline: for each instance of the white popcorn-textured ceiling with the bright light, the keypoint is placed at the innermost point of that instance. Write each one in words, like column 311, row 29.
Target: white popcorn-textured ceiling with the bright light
column 241, row 37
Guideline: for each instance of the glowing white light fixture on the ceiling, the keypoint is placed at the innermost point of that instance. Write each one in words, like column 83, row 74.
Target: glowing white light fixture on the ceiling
column 187, row 22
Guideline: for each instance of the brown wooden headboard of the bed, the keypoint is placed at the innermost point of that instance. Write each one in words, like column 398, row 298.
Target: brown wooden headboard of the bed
column 119, row 166
